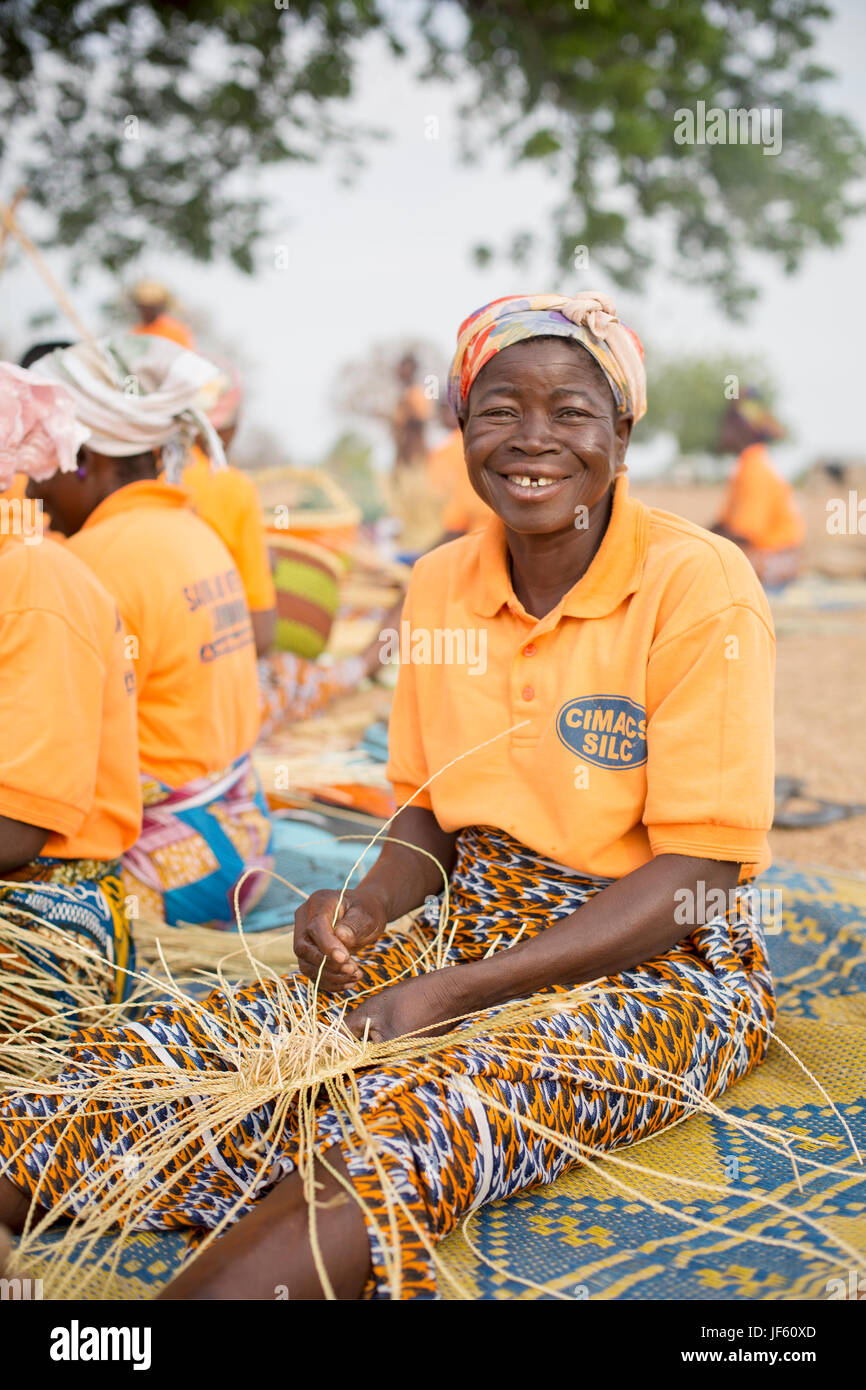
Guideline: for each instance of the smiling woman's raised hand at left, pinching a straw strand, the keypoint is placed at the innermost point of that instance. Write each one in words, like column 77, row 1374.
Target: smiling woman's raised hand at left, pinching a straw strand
column 325, row 936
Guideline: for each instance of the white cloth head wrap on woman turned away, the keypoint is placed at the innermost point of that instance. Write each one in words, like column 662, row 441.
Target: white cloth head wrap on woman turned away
column 137, row 393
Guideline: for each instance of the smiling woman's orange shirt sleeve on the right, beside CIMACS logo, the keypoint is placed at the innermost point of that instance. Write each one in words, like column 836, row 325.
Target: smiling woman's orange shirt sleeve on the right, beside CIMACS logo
column 710, row 739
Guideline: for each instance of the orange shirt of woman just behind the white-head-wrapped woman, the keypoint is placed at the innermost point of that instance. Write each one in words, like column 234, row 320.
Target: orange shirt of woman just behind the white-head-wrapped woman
column 230, row 502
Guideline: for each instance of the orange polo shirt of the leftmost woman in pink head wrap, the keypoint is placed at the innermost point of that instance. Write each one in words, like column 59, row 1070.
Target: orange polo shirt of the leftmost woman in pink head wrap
column 69, row 758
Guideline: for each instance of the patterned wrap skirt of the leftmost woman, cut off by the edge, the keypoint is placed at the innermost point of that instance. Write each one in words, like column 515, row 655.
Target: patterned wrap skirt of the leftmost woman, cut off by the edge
column 84, row 897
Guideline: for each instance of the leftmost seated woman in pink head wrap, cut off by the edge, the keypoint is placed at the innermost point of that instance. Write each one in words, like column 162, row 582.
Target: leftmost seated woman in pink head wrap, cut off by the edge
column 70, row 800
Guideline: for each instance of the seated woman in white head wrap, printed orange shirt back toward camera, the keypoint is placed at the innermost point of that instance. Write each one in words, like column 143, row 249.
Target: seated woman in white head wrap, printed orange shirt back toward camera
column 186, row 615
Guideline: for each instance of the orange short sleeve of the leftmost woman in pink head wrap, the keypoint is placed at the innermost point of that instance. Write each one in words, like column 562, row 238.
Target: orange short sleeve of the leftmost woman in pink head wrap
column 52, row 686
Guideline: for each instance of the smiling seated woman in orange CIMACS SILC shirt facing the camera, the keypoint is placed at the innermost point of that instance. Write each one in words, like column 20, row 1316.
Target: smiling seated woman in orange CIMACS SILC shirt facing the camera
column 594, row 780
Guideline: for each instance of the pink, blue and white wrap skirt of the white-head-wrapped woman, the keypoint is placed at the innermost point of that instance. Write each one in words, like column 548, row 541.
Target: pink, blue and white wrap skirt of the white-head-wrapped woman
column 197, row 843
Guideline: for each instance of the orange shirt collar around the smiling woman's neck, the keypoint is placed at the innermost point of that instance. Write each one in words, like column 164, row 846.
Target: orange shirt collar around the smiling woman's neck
column 614, row 573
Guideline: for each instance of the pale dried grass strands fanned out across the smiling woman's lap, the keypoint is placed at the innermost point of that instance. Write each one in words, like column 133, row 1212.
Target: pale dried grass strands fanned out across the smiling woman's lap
column 309, row 1060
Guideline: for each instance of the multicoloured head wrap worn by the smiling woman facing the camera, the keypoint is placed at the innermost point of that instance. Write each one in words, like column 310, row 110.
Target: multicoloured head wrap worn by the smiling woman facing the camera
column 589, row 319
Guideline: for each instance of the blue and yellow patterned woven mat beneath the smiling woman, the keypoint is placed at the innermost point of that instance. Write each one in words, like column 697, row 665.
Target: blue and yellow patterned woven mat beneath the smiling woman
column 583, row 1239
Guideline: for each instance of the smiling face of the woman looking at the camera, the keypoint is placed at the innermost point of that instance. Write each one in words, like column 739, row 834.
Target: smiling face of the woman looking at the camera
column 541, row 434
